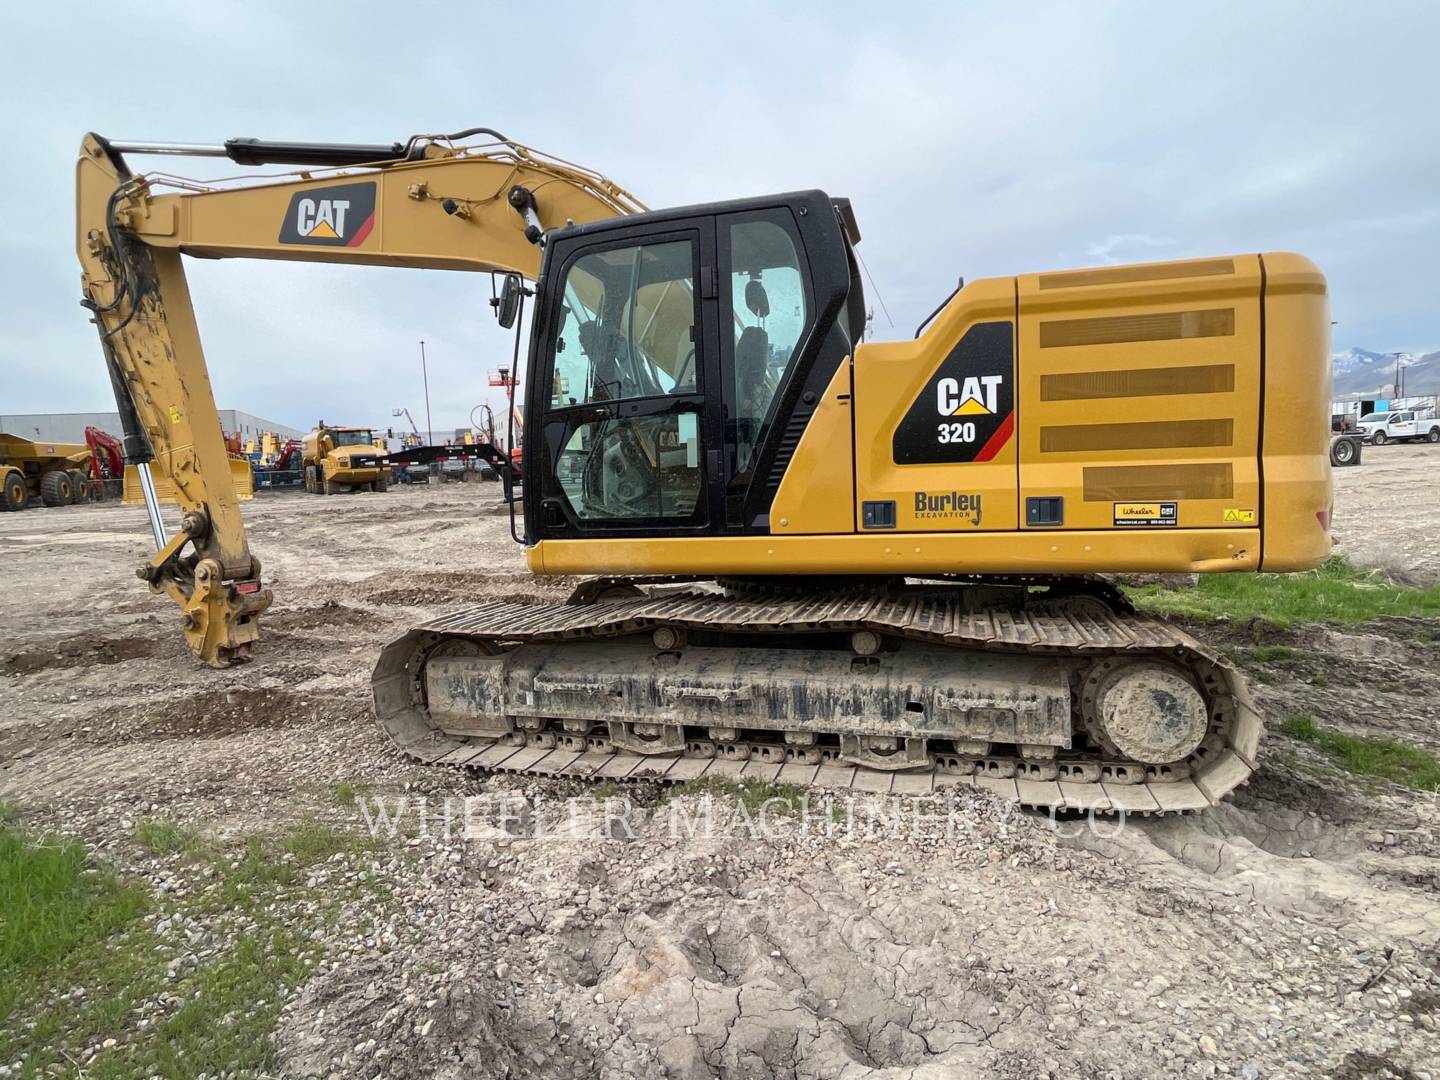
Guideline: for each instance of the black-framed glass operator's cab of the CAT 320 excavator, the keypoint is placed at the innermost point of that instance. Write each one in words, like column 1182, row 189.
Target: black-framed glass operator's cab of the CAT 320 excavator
column 675, row 359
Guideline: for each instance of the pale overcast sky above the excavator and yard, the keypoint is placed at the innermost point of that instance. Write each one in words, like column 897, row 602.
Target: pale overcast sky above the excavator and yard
column 974, row 139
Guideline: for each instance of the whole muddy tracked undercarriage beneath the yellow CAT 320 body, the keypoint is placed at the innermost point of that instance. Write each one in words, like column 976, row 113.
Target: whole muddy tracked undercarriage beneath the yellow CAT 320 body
column 1049, row 692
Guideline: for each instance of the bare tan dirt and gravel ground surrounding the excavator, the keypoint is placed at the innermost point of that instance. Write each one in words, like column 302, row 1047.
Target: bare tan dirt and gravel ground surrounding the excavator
column 1292, row 932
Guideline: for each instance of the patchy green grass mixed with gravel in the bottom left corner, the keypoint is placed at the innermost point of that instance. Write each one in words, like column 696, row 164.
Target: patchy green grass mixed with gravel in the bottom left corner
column 80, row 930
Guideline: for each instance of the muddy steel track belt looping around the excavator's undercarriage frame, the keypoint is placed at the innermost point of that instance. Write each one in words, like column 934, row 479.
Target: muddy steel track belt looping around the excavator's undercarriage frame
column 957, row 617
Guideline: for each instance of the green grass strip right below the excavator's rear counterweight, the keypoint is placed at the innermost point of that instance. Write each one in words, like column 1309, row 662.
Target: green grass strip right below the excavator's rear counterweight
column 1334, row 593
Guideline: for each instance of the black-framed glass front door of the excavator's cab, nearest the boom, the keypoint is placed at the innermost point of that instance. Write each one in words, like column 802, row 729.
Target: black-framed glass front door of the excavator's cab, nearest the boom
column 631, row 417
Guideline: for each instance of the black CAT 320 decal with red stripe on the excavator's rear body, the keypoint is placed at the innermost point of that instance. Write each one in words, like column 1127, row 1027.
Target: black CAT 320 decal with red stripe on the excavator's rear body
column 967, row 413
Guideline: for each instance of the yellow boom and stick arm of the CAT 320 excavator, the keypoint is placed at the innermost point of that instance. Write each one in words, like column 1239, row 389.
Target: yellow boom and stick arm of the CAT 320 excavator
column 421, row 204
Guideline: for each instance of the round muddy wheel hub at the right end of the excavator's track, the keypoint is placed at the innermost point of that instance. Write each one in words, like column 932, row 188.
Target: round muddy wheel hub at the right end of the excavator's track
column 1146, row 711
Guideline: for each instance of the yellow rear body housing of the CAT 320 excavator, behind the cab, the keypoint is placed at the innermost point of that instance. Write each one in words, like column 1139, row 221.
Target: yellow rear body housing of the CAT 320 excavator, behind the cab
column 1147, row 398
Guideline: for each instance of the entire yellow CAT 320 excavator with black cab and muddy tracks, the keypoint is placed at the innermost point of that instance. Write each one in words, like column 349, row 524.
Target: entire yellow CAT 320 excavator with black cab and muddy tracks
column 813, row 558
